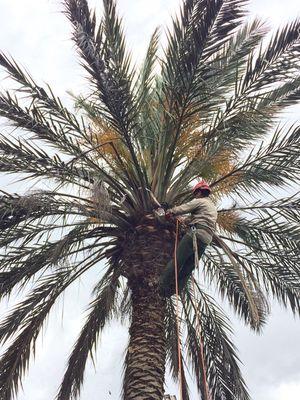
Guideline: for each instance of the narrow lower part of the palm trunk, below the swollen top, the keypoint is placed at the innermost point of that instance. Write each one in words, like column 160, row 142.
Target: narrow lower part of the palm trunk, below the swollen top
column 145, row 361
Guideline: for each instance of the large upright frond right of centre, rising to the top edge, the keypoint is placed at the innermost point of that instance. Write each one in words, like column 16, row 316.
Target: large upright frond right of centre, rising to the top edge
column 201, row 23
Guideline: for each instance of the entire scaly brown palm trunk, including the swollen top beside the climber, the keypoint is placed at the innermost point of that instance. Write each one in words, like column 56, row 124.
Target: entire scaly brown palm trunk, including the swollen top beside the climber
column 146, row 254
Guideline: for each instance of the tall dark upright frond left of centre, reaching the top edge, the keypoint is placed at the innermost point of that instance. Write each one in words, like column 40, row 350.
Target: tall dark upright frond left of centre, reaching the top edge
column 108, row 64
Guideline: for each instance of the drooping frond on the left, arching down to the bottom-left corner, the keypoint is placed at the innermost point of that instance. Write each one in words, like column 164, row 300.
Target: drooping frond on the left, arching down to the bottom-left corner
column 14, row 362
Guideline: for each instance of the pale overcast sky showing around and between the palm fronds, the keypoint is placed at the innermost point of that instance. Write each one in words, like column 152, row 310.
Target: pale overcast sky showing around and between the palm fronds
column 37, row 35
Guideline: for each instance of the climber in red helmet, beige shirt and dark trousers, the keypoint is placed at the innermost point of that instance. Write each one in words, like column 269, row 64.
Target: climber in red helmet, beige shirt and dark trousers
column 201, row 224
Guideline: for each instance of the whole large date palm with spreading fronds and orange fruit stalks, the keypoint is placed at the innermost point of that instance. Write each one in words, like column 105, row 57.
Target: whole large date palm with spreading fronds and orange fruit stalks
column 209, row 107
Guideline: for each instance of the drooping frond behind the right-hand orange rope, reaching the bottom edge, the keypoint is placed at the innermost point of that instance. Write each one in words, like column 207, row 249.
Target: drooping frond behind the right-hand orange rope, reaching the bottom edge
column 223, row 374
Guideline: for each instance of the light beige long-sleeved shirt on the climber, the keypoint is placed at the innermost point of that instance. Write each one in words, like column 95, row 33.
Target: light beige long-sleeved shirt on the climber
column 203, row 214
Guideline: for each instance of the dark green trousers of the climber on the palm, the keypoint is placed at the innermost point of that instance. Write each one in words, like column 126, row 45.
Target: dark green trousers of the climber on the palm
column 185, row 265
